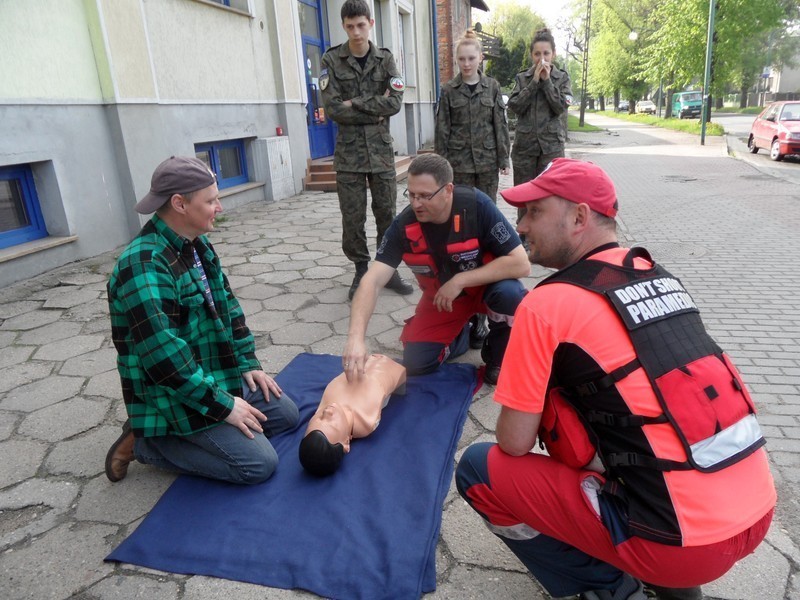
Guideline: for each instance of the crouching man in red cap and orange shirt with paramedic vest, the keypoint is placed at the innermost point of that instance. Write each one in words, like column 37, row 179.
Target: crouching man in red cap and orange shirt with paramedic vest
column 655, row 469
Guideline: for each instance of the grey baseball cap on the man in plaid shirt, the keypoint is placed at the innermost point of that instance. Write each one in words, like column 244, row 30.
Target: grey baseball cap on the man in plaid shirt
column 176, row 175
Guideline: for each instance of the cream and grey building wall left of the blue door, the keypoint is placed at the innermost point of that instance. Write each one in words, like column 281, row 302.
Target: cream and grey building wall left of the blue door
column 95, row 93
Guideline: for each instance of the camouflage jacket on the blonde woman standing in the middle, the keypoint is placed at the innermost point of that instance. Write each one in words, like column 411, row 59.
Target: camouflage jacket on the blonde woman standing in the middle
column 471, row 127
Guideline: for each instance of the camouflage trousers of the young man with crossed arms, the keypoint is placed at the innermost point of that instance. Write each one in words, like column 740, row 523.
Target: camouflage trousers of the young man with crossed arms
column 352, row 190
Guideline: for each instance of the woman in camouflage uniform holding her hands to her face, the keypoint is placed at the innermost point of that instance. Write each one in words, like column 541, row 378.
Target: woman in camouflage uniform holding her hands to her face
column 540, row 98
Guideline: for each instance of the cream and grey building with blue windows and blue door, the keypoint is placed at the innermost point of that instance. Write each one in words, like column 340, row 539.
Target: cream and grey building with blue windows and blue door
column 95, row 93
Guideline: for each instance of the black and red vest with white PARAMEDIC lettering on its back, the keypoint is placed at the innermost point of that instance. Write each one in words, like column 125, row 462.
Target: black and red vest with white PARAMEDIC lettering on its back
column 700, row 391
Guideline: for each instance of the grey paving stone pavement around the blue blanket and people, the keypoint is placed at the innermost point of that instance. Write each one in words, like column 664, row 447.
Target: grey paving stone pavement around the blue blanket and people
column 729, row 231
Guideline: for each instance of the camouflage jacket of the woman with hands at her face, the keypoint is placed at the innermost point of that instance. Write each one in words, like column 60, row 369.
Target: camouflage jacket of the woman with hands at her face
column 540, row 108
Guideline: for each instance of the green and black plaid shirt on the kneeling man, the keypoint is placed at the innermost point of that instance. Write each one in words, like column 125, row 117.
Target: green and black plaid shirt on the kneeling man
column 180, row 360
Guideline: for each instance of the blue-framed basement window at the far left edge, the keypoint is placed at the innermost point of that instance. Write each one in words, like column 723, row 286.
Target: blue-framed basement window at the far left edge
column 20, row 215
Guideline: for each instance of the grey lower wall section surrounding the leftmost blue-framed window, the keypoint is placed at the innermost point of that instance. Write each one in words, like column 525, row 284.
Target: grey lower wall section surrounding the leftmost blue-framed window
column 72, row 156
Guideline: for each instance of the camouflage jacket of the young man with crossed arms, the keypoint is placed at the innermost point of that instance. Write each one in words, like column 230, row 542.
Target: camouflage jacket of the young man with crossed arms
column 363, row 143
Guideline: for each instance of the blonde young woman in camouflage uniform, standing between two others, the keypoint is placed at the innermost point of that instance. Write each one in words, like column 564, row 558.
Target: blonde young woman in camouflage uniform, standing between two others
column 471, row 127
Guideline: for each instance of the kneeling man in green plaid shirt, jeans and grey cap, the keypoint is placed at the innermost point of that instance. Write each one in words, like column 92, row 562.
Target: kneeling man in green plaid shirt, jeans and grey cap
column 197, row 399
